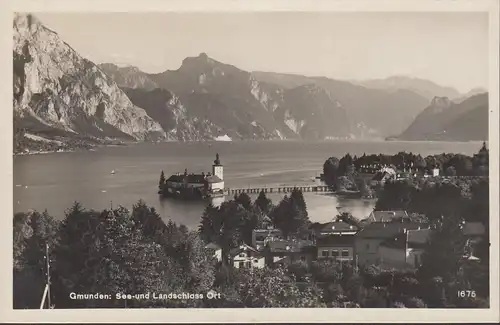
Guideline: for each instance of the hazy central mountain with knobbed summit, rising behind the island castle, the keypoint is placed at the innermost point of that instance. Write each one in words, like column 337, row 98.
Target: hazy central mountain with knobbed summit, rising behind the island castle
column 245, row 108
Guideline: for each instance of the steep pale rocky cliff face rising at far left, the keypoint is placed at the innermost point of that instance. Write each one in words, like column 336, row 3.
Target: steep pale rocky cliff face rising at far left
column 65, row 94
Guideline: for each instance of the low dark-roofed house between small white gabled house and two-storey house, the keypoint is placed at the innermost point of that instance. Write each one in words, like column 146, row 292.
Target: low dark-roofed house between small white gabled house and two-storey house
column 285, row 252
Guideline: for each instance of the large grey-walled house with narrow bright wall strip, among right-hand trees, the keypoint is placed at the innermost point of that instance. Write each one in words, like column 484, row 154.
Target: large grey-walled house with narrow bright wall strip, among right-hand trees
column 404, row 251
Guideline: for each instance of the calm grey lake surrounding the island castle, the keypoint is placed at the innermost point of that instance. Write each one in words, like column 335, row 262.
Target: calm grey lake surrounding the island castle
column 54, row 181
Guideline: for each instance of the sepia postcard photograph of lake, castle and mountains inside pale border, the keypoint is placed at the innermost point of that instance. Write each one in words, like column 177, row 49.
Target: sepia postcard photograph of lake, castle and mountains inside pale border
column 253, row 159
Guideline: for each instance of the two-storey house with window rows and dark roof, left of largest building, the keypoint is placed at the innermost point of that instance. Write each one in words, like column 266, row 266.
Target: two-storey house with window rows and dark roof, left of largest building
column 335, row 240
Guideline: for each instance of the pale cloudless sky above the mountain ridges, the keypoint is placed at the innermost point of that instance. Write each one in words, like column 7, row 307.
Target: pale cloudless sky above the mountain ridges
column 449, row 48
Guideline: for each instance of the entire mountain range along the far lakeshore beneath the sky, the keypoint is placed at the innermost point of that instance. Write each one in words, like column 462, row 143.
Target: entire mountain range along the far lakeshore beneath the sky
column 60, row 95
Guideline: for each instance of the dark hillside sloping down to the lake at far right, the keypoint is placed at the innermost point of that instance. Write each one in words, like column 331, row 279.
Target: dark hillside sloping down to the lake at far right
column 446, row 120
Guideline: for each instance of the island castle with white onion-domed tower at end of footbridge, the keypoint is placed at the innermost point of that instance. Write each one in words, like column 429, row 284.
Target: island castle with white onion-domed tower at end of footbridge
column 190, row 185
